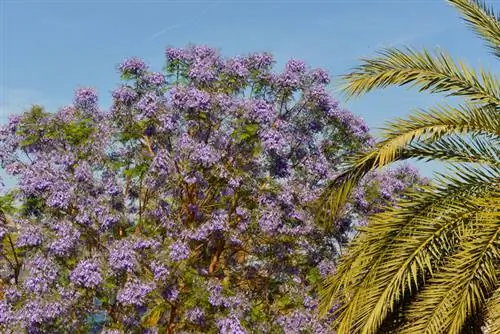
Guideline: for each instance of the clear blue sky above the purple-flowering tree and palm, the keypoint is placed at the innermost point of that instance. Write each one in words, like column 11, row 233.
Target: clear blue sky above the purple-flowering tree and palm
column 48, row 48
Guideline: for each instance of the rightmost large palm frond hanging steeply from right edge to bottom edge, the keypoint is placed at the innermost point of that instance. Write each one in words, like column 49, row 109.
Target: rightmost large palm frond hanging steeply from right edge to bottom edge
column 460, row 289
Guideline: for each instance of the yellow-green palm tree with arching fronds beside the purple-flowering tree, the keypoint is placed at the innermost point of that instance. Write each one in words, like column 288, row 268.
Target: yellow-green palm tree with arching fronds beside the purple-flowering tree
column 430, row 264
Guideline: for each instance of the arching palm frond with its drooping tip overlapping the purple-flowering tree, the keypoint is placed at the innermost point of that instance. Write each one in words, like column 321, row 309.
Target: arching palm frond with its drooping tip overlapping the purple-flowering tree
column 426, row 127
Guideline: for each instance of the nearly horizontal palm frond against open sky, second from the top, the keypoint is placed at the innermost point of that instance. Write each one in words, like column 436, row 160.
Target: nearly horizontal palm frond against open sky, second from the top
column 435, row 73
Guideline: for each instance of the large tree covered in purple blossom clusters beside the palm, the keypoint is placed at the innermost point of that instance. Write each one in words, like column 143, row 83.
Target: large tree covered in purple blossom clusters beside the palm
column 188, row 207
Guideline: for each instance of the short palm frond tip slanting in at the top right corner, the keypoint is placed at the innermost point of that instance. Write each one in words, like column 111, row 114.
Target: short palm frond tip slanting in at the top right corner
column 482, row 19
